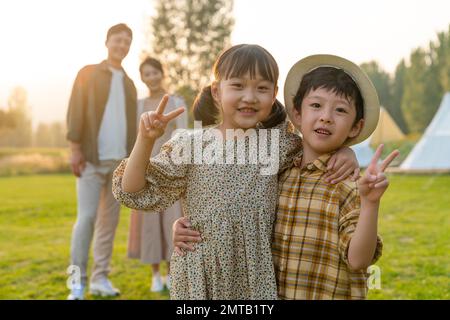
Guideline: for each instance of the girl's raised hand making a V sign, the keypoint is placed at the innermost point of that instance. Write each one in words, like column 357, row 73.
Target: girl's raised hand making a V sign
column 153, row 123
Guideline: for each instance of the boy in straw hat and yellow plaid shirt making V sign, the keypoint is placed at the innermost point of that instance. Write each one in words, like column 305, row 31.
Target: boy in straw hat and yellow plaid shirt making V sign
column 325, row 235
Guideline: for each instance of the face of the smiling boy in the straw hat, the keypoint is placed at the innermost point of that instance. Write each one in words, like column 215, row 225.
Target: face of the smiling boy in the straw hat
column 326, row 121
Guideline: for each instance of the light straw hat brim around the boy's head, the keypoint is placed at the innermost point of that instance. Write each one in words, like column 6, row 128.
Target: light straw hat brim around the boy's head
column 368, row 91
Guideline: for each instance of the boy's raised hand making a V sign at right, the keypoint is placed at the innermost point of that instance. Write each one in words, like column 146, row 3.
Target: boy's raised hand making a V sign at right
column 374, row 182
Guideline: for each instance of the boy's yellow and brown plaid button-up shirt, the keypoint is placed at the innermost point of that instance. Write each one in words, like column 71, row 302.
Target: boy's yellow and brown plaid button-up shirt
column 315, row 222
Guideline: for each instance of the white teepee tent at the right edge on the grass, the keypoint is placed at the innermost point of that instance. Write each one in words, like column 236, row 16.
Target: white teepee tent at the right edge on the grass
column 432, row 152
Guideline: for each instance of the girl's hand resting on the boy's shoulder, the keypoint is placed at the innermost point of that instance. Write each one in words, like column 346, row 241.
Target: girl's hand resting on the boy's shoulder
column 341, row 165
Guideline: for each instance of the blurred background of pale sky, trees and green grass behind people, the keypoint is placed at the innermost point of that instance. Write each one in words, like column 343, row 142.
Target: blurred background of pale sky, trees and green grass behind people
column 404, row 46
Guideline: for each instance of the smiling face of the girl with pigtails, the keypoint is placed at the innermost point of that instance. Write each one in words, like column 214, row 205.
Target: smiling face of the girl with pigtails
column 244, row 101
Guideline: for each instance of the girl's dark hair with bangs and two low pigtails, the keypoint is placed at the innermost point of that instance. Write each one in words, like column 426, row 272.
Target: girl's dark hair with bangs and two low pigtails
column 236, row 62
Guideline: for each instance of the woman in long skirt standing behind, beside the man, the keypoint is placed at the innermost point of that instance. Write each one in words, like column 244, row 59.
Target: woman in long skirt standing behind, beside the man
column 150, row 234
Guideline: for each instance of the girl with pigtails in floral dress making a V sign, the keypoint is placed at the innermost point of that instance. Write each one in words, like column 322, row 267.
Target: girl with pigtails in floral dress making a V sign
column 232, row 205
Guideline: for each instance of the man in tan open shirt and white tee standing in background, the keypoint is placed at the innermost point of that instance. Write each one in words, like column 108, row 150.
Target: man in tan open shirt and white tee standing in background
column 101, row 122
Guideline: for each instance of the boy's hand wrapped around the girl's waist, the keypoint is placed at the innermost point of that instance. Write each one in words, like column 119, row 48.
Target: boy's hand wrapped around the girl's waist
column 182, row 235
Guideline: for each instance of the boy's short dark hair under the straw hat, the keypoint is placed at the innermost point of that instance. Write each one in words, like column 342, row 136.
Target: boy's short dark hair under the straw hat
column 335, row 80
